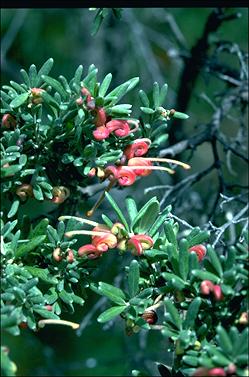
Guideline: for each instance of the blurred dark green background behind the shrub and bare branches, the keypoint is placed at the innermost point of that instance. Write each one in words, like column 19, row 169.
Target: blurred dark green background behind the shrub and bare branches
column 150, row 43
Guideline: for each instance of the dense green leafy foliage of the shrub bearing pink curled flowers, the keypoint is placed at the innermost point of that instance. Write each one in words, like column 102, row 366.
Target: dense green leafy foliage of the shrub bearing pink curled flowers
column 48, row 149
